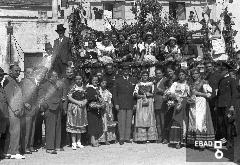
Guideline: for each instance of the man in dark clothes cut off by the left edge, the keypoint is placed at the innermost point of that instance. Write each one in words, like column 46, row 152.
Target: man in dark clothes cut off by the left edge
column 4, row 117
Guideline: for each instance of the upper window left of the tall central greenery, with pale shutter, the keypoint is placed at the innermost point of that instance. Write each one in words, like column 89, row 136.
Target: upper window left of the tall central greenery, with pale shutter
column 117, row 9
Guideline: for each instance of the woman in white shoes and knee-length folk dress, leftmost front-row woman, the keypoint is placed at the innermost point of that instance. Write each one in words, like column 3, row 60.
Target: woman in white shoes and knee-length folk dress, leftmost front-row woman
column 77, row 113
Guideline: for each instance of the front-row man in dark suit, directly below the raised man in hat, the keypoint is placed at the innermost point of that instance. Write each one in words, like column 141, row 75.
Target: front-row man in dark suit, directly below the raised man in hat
column 51, row 94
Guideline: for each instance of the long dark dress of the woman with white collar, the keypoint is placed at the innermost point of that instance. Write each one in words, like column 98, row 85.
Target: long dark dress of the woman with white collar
column 94, row 116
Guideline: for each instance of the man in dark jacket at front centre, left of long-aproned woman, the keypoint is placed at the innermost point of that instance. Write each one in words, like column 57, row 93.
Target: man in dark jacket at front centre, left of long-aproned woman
column 124, row 103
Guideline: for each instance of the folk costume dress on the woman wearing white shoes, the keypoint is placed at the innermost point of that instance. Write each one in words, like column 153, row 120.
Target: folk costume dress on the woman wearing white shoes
column 76, row 115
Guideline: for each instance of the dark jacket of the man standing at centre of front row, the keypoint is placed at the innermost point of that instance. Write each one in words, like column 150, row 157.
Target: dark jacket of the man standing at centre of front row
column 123, row 92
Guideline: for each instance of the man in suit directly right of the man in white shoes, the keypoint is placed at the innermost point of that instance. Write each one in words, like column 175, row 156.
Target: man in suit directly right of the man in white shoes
column 29, row 90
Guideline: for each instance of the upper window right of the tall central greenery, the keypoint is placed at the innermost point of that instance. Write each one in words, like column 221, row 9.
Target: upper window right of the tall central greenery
column 177, row 10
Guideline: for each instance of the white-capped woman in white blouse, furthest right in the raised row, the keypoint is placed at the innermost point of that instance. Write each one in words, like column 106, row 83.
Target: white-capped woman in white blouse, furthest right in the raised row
column 172, row 50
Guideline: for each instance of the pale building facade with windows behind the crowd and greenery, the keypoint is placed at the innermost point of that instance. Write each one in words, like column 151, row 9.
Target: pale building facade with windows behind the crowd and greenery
column 34, row 22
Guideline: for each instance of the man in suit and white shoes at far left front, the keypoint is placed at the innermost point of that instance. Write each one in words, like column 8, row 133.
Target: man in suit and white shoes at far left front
column 15, row 105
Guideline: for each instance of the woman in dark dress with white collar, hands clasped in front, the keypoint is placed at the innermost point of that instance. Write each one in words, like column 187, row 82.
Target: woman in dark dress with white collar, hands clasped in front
column 95, row 106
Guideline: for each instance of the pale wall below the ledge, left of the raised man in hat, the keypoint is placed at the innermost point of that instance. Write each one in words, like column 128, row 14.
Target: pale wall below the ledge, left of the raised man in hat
column 29, row 36
